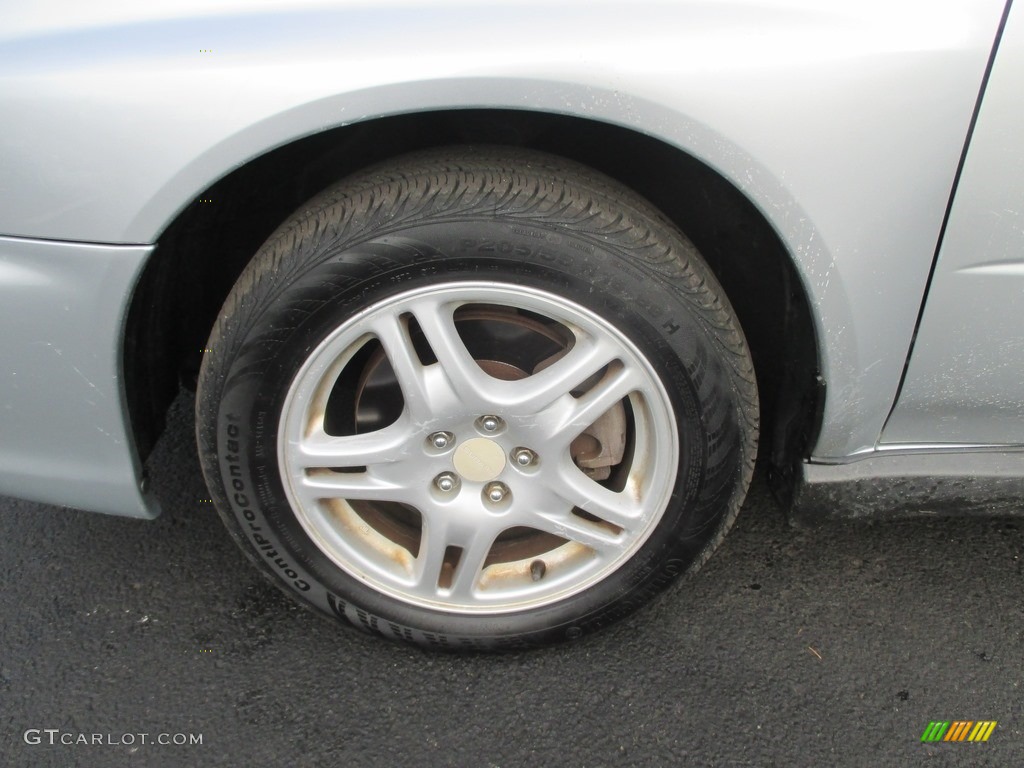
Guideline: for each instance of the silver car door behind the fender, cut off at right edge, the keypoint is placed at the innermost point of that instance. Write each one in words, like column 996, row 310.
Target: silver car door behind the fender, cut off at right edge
column 965, row 382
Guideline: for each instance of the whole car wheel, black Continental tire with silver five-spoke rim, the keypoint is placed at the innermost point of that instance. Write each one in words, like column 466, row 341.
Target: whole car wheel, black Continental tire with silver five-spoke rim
column 478, row 399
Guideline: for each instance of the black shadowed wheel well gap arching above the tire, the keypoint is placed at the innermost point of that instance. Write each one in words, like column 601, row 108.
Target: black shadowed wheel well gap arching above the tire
column 203, row 251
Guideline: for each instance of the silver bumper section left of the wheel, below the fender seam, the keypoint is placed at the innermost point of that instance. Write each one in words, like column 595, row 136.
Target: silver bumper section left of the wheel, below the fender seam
column 65, row 436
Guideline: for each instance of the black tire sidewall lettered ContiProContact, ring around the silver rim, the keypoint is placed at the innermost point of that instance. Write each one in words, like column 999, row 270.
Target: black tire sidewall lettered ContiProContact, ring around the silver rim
column 330, row 284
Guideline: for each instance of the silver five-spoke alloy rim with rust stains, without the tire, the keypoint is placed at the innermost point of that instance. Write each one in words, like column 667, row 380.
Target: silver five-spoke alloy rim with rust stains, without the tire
column 506, row 447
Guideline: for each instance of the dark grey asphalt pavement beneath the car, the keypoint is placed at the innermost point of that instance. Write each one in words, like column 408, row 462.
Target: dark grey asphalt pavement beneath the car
column 830, row 647
